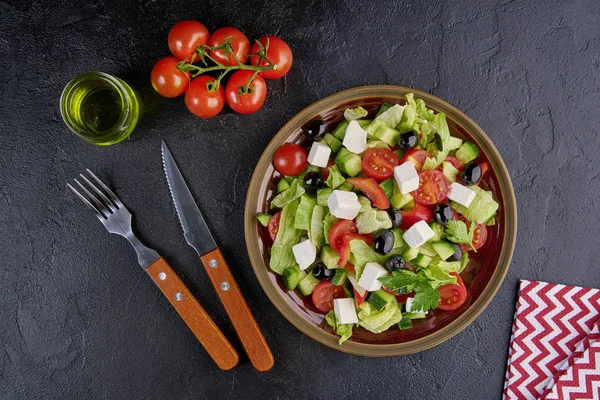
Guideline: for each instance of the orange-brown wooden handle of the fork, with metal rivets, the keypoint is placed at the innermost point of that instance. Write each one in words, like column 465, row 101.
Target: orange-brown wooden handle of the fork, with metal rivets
column 196, row 318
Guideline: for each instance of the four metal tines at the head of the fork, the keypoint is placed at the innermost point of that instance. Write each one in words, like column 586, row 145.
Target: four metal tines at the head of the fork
column 104, row 204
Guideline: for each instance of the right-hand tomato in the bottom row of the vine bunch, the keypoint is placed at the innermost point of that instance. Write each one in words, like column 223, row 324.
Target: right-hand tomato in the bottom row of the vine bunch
column 245, row 103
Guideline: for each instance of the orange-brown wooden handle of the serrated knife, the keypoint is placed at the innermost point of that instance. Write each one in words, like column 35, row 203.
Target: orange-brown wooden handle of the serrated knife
column 243, row 322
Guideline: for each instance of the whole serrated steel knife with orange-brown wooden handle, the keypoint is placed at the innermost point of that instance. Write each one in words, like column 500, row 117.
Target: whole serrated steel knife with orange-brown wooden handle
column 198, row 236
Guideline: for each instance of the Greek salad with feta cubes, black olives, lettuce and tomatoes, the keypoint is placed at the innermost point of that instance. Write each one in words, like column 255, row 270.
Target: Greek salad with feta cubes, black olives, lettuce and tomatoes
column 375, row 219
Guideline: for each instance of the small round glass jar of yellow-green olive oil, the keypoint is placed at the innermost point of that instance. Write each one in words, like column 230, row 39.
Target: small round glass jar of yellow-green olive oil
column 99, row 108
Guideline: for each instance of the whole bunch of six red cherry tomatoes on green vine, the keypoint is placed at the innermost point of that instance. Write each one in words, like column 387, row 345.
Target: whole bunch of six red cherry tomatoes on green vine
column 196, row 54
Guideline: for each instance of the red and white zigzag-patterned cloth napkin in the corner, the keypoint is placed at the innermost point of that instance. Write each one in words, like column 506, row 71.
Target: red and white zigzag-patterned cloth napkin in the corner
column 554, row 352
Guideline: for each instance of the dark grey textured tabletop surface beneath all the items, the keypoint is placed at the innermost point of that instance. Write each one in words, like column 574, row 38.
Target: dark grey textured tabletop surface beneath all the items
column 79, row 318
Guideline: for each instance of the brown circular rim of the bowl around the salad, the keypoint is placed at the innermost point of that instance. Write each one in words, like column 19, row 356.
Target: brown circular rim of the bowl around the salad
column 365, row 349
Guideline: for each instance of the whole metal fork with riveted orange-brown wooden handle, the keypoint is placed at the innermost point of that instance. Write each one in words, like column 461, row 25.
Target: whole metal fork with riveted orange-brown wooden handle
column 116, row 218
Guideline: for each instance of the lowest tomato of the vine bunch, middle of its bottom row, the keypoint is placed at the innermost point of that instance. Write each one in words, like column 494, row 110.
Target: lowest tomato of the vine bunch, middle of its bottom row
column 203, row 102
